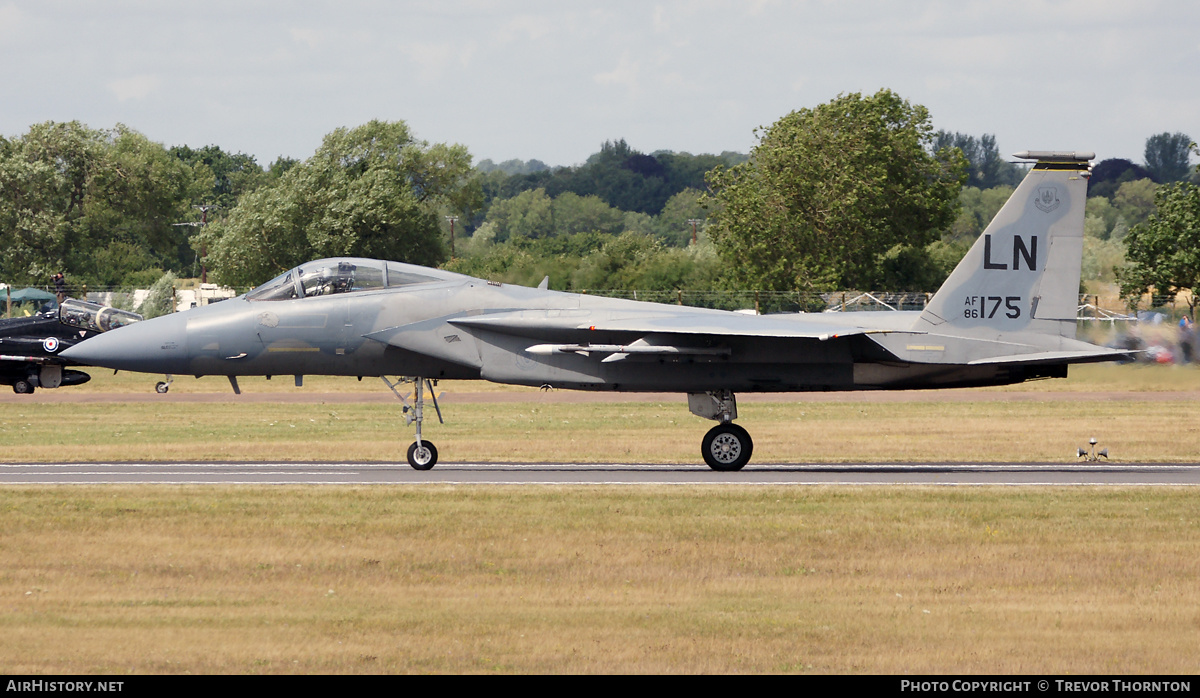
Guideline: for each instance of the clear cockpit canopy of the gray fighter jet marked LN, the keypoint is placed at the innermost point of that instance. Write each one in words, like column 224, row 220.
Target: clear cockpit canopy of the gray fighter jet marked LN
column 343, row 275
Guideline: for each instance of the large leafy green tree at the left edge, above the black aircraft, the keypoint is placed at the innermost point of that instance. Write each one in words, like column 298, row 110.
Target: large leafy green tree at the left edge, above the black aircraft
column 99, row 206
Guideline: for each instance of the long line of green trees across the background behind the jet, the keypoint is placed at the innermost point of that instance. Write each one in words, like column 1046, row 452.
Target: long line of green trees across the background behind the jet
column 860, row 192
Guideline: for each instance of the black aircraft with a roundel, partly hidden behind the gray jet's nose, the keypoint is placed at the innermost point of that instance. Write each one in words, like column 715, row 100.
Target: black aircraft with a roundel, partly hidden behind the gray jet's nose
column 31, row 348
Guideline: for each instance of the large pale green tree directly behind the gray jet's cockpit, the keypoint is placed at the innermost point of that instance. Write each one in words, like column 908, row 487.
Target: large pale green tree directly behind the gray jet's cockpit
column 371, row 191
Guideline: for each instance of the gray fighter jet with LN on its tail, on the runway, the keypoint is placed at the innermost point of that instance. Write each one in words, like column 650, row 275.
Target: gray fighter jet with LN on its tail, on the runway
column 1006, row 315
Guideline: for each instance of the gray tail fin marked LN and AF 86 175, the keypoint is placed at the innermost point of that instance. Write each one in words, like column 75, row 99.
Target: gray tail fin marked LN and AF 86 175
column 1023, row 273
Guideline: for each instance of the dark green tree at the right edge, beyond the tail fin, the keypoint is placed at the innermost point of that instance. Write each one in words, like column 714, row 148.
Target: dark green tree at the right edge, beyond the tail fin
column 1163, row 254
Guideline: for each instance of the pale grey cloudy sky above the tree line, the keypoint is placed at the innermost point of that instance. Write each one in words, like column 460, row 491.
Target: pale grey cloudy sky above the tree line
column 555, row 80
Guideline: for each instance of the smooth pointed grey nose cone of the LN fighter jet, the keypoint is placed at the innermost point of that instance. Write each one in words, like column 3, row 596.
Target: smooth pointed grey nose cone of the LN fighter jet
column 155, row 346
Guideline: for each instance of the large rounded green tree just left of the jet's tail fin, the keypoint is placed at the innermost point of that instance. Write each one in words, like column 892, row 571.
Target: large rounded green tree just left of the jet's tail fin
column 830, row 191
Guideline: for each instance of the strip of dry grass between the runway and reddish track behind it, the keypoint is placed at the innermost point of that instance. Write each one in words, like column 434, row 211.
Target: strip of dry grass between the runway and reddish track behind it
column 992, row 431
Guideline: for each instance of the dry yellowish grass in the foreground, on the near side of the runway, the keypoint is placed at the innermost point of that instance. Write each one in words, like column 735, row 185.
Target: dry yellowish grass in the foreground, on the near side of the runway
column 598, row 580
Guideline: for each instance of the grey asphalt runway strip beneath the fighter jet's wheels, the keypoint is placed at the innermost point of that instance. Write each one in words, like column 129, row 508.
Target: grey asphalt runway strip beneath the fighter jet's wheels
column 947, row 474
